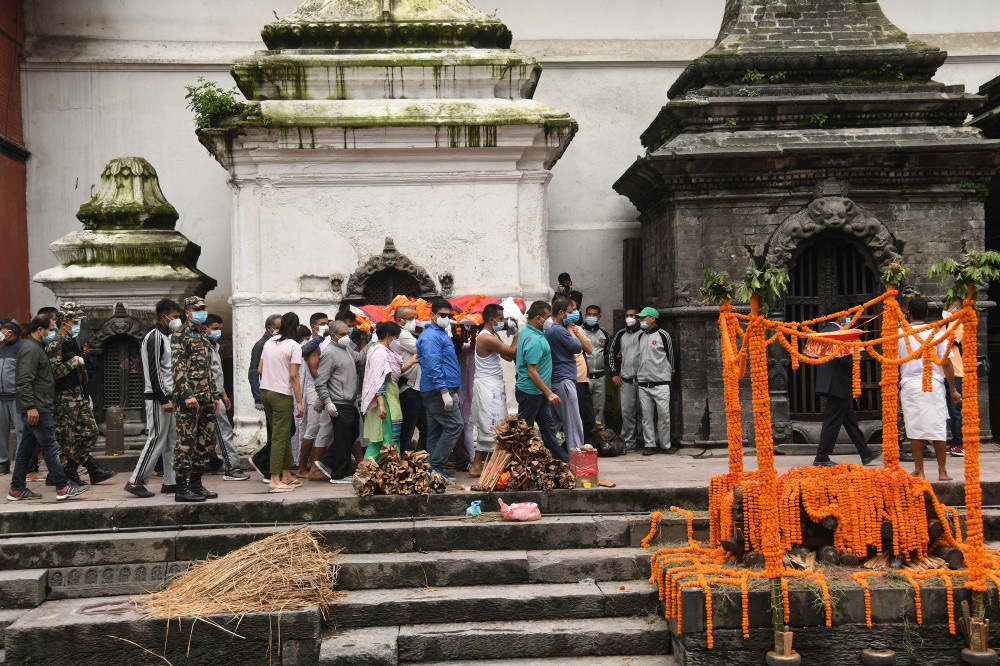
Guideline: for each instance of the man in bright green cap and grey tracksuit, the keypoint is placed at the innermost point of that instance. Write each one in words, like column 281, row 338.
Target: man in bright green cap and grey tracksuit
column 653, row 375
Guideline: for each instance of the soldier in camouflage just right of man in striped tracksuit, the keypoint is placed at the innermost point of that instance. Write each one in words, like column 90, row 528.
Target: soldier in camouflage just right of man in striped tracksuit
column 195, row 402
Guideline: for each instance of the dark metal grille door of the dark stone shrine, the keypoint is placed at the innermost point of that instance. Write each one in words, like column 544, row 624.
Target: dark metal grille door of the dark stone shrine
column 830, row 274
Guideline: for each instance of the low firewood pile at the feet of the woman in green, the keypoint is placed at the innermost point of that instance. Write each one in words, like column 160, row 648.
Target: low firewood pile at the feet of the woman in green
column 392, row 475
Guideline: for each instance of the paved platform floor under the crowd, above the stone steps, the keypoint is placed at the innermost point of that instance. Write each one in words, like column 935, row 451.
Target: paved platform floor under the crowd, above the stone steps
column 630, row 471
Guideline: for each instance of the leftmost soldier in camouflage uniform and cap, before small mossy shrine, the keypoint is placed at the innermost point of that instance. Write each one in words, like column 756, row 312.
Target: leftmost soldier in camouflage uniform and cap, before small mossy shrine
column 75, row 427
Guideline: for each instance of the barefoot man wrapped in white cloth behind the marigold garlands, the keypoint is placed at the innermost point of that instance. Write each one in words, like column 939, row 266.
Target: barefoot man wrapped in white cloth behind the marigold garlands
column 925, row 412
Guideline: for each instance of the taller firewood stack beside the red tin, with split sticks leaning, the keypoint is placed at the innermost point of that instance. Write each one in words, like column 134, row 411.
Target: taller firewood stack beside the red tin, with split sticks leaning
column 520, row 461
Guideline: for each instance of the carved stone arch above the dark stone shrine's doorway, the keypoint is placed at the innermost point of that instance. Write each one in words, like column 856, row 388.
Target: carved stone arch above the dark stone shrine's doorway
column 830, row 214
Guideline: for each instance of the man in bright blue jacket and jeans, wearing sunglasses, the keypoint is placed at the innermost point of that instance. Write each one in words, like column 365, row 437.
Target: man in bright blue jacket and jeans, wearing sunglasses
column 440, row 382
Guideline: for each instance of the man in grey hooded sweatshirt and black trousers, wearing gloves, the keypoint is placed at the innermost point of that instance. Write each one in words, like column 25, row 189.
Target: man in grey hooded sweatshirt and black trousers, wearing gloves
column 337, row 388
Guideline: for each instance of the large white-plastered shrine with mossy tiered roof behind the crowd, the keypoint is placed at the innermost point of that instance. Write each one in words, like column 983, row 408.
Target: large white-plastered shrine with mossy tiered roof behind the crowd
column 384, row 118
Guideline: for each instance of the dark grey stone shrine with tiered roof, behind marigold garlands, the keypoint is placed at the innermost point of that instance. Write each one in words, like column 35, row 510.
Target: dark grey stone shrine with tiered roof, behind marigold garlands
column 811, row 136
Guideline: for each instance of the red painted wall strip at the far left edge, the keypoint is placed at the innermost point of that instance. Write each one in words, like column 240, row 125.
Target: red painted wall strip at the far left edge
column 14, row 276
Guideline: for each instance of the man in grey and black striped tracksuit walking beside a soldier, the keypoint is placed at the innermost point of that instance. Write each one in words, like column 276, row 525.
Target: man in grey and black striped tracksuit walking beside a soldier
column 158, row 397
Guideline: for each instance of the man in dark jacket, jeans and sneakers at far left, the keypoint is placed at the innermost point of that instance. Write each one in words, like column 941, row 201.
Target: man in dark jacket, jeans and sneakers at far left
column 35, row 391
